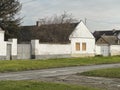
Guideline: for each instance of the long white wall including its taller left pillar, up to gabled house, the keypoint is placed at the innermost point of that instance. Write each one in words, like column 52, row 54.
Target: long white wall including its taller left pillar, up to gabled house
column 51, row 49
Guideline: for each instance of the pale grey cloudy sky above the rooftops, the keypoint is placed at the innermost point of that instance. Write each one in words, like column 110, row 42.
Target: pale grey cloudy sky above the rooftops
column 100, row 14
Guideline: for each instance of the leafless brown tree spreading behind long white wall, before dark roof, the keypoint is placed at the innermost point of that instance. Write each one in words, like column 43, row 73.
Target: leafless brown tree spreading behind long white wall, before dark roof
column 55, row 29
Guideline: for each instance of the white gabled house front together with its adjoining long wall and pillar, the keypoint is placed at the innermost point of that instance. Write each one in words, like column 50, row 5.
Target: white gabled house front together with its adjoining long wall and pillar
column 82, row 44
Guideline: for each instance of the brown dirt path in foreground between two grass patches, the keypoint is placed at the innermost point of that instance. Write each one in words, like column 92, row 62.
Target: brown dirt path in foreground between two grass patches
column 97, row 82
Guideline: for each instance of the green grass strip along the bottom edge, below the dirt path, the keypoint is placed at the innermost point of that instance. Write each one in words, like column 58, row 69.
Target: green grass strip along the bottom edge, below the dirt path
column 36, row 85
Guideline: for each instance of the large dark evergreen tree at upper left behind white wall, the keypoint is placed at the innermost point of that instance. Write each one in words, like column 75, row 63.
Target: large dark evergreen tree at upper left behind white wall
column 8, row 20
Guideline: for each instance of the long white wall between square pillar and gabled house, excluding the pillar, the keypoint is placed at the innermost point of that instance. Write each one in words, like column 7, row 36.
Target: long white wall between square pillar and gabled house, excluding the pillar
column 50, row 49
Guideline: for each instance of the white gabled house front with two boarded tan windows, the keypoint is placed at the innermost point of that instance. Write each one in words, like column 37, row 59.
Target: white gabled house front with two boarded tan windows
column 82, row 41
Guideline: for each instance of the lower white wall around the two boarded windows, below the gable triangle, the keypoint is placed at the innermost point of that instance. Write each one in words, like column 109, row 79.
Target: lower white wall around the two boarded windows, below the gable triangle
column 90, row 45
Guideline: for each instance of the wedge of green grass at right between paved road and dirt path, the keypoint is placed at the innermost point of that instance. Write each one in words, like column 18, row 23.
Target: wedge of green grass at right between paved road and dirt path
column 109, row 73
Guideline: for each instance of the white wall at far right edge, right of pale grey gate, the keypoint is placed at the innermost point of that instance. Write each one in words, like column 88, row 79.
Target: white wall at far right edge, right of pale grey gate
column 115, row 50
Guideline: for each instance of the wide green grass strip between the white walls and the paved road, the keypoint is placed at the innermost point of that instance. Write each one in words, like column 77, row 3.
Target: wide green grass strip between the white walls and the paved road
column 22, row 65
